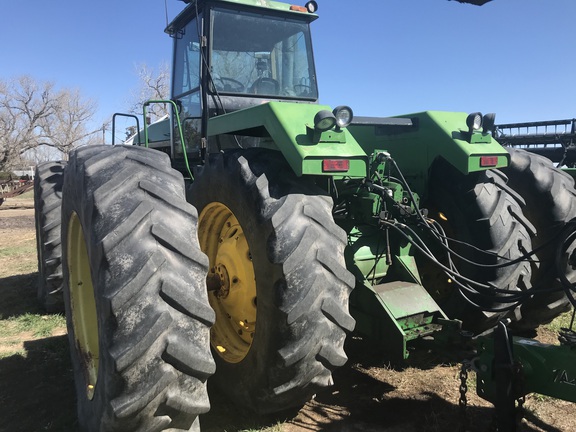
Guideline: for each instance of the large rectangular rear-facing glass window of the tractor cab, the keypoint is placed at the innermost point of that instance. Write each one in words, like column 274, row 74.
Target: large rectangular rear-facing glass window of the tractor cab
column 254, row 54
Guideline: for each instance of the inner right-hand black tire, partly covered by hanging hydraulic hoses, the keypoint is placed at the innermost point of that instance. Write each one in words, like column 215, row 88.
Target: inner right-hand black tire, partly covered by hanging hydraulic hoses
column 481, row 210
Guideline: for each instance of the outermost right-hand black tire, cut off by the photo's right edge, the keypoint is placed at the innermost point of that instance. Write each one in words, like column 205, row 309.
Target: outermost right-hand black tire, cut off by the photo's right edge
column 550, row 203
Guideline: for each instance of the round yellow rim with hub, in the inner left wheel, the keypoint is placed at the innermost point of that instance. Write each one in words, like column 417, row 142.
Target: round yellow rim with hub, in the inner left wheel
column 231, row 282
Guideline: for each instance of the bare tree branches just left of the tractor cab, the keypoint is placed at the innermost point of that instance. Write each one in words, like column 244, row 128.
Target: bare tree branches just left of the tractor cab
column 154, row 85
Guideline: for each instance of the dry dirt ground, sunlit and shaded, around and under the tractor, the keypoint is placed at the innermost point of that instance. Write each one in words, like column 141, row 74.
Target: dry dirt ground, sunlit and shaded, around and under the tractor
column 370, row 393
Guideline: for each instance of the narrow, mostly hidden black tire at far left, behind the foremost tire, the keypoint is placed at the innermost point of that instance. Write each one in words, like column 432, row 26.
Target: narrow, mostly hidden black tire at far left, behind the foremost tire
column 48, row 181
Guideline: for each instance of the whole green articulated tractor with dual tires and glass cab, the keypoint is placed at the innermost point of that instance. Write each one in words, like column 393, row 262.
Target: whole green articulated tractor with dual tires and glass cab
column 248, row 245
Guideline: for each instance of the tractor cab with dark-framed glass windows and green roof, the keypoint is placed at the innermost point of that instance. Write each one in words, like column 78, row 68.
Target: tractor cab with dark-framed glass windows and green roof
column 230, row 55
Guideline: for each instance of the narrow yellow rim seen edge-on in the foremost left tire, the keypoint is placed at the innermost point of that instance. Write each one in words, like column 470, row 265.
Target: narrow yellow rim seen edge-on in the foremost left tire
column 83, row 304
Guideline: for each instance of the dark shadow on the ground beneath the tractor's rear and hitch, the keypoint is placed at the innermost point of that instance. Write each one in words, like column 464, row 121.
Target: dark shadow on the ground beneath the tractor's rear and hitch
column 359, row 402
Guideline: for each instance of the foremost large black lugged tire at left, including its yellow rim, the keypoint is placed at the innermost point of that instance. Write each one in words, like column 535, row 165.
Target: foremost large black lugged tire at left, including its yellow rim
column 134, row 287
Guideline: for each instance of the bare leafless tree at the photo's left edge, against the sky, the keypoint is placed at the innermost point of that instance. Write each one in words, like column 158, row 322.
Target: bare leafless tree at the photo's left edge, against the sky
column 33, row 114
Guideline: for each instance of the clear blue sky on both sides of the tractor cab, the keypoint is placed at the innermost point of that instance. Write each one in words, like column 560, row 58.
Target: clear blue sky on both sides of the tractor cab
column 381, row 57
